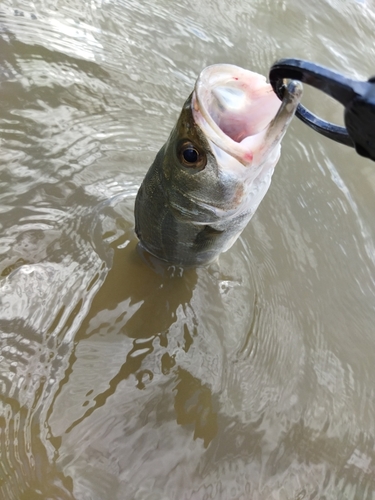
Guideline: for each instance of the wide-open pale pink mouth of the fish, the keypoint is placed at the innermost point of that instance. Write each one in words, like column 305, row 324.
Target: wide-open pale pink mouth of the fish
column 235, row 109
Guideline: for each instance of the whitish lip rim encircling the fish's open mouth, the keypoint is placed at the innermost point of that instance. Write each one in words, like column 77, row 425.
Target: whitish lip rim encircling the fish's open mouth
column 208, row 79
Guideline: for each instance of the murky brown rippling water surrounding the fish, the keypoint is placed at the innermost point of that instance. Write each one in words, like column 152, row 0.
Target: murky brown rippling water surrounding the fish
column 252, row 379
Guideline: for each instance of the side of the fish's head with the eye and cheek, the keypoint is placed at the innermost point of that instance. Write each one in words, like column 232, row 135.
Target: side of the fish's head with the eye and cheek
column 196, row 185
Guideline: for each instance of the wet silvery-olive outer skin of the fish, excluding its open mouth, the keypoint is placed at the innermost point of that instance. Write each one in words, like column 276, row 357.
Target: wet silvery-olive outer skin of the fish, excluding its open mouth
column 187, row 213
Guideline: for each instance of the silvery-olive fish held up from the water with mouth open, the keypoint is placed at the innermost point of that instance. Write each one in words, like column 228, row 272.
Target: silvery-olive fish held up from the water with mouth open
column 208, row 179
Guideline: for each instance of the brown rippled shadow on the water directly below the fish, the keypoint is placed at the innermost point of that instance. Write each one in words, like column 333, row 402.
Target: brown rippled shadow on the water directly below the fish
column 143, row 304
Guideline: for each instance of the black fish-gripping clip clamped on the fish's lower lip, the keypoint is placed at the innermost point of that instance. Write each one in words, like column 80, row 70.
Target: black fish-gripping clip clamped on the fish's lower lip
column 357, row 97
